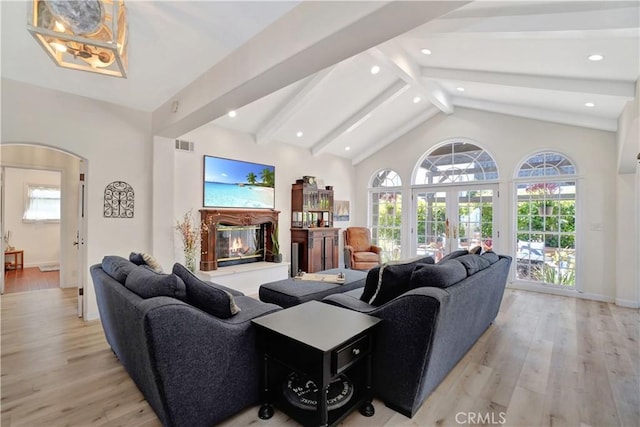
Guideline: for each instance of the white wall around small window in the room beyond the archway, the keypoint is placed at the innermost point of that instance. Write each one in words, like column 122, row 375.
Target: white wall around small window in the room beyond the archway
column 39, row 241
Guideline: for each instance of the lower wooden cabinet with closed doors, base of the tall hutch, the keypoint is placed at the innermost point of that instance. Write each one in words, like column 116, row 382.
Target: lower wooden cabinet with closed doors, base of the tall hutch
column 317, row 248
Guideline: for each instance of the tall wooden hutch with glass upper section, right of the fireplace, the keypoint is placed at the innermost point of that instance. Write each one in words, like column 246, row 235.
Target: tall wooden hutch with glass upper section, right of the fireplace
column 312, row 231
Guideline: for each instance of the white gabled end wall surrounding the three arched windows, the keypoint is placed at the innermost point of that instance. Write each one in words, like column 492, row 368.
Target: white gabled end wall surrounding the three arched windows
column 510, row 140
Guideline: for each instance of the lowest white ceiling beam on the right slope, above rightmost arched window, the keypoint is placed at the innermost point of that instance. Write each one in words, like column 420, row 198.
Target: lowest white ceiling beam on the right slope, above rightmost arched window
column 554, row 116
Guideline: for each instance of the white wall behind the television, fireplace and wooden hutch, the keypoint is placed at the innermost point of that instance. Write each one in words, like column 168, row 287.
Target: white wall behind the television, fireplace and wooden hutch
column 290, row 162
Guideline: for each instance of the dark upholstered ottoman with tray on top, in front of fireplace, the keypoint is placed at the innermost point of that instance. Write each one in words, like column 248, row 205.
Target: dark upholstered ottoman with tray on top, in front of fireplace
column 290, row 292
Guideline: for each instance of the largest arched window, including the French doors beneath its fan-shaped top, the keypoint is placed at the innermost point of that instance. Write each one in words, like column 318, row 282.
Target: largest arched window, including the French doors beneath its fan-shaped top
column 454, row 199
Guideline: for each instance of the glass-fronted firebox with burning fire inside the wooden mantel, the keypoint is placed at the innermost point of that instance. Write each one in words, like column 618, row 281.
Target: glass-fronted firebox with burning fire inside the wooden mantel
column 239, row 244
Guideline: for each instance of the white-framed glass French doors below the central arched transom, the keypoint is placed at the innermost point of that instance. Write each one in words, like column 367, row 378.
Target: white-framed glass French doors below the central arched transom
column 446, row 219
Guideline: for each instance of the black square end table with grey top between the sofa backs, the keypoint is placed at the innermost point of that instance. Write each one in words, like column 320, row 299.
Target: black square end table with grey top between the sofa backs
column 316, row 349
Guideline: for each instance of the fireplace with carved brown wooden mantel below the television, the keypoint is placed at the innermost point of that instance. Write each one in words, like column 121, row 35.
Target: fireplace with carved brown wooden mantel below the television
column 236, row 236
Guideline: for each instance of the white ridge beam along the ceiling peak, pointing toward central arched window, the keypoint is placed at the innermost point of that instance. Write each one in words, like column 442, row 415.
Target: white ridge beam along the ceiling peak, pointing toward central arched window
column 394, row 58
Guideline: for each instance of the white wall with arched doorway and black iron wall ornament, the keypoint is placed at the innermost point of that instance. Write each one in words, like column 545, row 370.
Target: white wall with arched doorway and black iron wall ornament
column 116, row 144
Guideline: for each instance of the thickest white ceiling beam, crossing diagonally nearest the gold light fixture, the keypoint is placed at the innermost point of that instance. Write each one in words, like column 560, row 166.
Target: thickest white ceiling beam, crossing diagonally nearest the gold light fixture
column 312, row 36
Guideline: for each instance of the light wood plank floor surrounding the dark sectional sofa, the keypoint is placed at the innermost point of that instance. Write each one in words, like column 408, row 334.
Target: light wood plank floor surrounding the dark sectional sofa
column 546, row 361
